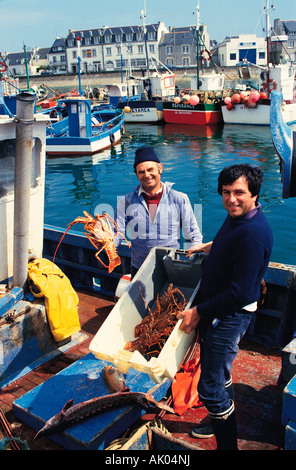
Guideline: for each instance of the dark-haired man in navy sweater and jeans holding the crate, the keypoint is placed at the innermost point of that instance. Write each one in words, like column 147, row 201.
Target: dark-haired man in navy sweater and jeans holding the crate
column 227, row 299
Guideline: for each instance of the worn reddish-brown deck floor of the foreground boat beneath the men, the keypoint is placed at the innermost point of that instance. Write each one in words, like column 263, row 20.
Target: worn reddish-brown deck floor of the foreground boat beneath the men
column 255, row 373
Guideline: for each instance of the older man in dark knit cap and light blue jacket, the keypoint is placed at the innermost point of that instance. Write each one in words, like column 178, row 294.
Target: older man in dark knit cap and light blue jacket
column 154, row 214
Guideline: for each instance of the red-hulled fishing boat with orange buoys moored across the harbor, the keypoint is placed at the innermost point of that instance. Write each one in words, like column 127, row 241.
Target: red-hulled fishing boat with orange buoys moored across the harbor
column 200, row 105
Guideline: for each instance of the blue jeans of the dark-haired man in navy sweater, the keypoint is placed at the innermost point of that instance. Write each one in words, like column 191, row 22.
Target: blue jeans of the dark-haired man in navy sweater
column 218, row 349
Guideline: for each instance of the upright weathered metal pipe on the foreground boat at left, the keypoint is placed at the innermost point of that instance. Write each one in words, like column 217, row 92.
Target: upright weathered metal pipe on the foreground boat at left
column 22, row 186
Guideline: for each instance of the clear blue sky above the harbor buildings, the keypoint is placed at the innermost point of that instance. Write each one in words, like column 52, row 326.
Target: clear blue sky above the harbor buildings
column 39, row 22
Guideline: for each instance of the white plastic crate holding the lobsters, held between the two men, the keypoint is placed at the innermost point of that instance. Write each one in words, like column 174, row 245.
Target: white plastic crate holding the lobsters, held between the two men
column 162, row 267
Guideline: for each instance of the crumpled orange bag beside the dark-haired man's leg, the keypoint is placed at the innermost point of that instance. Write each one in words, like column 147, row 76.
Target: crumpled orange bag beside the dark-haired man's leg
column 184, row 387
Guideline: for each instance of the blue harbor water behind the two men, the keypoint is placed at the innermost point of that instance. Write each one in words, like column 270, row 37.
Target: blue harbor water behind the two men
column 192, row 158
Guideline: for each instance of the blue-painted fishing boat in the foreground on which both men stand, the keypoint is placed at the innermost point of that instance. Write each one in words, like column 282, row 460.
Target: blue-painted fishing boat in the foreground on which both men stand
column 39, row 376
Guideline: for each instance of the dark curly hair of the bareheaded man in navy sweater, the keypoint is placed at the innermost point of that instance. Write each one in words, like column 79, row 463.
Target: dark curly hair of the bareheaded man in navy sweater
column 253, row 175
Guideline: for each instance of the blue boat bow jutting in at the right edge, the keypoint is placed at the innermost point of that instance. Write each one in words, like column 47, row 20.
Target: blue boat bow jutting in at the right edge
column 284, row 141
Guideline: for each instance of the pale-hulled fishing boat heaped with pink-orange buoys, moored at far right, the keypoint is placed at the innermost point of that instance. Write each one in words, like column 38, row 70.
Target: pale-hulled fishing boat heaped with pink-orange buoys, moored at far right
column 253, row 107
